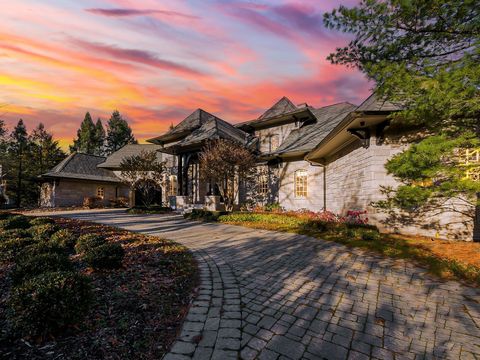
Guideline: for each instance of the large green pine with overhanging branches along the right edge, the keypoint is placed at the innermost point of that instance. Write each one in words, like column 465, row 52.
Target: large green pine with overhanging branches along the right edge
column 424, row 54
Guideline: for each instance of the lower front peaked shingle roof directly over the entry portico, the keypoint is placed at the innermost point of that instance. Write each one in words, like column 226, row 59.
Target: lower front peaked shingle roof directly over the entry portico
column 214, row 128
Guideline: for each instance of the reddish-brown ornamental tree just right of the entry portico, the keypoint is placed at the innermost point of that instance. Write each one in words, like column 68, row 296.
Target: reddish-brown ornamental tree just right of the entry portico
column 226, row 164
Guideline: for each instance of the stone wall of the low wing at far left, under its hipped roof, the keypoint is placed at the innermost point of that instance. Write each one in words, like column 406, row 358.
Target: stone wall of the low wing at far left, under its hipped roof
column 65, row 192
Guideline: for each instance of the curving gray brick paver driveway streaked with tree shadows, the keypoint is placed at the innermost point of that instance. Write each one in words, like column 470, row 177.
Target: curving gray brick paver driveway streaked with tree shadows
column 272, row 295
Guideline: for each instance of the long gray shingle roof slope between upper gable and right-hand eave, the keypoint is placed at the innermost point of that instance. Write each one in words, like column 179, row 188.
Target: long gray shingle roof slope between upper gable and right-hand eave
column 308, row 136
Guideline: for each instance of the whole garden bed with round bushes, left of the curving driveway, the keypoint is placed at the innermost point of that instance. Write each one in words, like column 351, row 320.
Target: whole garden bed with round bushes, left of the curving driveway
column 76, row 290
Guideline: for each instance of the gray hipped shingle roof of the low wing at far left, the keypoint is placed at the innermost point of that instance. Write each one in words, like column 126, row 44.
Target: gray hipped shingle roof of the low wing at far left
column 81, row 167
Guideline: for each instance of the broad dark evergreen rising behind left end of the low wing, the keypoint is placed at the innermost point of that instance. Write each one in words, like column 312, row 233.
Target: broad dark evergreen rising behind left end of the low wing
column 45, row 151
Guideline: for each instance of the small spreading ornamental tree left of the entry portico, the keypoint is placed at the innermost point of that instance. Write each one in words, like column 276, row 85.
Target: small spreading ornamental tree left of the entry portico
column 142, row 173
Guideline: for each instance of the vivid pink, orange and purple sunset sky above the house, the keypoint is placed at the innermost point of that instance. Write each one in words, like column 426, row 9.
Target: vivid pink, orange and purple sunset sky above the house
column 157, row 61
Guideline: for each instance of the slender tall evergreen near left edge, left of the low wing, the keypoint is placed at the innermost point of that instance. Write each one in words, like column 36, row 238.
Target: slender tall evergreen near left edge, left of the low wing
column 18, row 149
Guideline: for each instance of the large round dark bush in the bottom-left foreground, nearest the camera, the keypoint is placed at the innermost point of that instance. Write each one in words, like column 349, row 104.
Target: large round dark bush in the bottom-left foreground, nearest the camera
column 48, row 303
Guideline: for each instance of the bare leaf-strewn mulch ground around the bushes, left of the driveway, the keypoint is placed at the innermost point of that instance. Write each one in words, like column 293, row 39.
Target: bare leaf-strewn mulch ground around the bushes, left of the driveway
column 138, row 309
